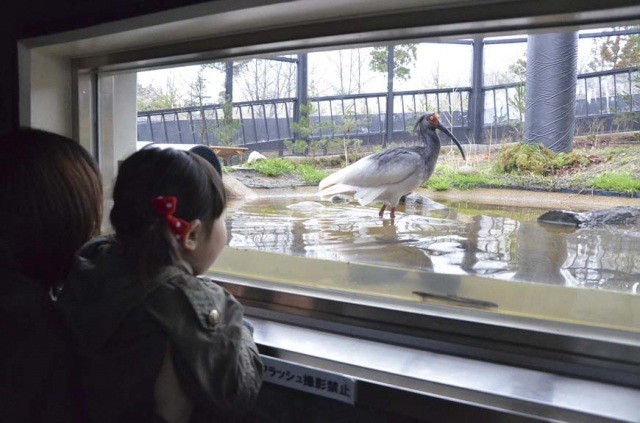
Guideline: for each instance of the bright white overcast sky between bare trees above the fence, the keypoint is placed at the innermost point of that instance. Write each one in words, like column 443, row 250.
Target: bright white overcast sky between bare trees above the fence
column 448, row 64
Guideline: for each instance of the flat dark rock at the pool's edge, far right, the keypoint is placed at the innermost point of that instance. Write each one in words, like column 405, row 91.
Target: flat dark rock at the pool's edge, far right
column 617, row 216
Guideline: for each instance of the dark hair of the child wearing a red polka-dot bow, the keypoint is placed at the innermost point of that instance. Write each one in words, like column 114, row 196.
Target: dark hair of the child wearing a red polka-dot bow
column 152, row 172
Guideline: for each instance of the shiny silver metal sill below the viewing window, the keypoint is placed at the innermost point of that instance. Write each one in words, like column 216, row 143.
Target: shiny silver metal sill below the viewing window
column 518, row 394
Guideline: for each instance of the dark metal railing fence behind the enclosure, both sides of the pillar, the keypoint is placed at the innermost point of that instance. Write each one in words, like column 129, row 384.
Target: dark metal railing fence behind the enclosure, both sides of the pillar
column 604, row 102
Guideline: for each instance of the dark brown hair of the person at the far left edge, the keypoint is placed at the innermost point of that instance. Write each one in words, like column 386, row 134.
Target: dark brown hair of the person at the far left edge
column 51, row 197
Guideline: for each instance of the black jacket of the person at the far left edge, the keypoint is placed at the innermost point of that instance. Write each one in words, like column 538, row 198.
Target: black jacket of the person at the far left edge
column 38, row 373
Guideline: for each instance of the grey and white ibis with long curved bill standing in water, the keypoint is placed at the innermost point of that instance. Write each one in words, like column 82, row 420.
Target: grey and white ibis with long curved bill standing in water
column 390, row 174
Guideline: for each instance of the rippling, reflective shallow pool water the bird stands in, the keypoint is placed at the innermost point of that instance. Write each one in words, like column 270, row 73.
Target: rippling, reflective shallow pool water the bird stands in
column 501, row 242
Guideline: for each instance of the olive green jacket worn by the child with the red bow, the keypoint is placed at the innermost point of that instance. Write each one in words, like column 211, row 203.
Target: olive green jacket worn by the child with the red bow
column 124, row 326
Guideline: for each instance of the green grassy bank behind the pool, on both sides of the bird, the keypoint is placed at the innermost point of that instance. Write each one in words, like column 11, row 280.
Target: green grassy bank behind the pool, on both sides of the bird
column 528, row 166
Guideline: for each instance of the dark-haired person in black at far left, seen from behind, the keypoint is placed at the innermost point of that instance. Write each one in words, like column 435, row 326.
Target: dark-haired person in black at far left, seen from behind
column 50, row 204
